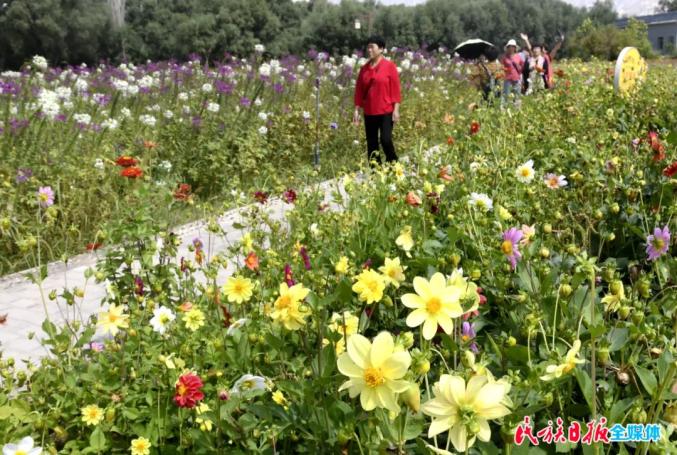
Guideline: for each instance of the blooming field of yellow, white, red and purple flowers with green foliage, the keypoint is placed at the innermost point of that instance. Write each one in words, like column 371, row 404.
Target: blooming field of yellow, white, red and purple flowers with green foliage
column 509, row 281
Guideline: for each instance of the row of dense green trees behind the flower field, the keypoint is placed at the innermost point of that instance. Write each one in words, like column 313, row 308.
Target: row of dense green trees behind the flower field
column 76, row 31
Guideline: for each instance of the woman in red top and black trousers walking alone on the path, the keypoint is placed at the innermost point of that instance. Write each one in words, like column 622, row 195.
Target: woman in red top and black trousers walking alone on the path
column 377, row 93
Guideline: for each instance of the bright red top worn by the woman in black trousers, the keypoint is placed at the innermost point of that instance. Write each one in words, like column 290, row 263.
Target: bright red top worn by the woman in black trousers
column 378, row 89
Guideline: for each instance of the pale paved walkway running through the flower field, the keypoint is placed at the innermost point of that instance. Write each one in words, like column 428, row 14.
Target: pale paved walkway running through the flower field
column 22, row 301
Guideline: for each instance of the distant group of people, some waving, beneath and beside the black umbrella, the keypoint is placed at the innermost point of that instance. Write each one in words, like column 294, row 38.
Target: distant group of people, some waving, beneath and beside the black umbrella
column 522, row 71
